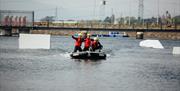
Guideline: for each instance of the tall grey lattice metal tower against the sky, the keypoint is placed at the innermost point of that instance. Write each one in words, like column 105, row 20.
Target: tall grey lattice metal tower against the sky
column 141, row 11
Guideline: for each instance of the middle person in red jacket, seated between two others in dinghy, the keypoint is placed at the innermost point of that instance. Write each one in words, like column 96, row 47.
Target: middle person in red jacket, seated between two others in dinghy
column 87, row 42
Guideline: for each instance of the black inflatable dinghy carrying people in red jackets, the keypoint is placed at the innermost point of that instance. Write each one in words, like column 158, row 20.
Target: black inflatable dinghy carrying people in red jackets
column 88, row 55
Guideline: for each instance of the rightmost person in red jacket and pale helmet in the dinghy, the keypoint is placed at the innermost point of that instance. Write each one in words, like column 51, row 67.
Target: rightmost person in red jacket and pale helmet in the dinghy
column 96, row 44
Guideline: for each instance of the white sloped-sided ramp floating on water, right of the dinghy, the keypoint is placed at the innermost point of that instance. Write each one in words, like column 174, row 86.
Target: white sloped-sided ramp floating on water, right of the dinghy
column 151, row 43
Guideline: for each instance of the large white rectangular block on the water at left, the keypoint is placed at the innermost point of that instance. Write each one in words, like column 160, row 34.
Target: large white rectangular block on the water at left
column 34, row 41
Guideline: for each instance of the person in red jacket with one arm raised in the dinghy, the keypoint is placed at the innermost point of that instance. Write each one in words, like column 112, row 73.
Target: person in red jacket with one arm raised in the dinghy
column 78, row 42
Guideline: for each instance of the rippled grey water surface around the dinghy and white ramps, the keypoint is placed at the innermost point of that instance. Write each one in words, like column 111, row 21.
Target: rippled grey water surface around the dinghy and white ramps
column 128, row 67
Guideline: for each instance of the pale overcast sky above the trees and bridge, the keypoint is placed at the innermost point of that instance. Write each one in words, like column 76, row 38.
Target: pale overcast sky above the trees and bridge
column 90, row 9
